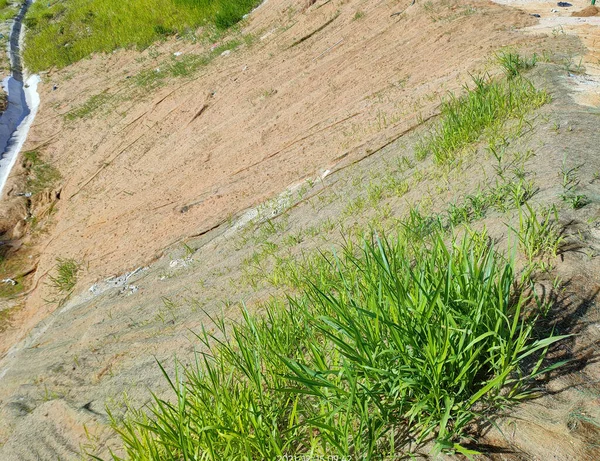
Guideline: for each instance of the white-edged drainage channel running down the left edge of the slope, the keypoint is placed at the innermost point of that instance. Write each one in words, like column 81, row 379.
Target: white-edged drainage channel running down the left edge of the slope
column 22, row 101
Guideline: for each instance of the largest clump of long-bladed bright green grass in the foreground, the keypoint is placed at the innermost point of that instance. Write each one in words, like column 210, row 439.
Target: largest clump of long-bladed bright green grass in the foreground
column 388, row 345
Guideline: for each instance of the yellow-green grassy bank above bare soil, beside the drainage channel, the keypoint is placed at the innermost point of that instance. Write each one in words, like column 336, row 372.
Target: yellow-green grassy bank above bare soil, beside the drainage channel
column 62, row 32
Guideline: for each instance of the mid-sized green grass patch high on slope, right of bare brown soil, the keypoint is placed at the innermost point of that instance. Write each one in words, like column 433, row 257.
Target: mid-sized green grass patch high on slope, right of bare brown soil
column 487, row 106
